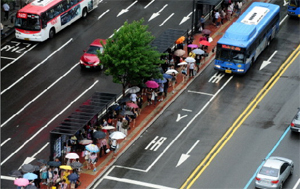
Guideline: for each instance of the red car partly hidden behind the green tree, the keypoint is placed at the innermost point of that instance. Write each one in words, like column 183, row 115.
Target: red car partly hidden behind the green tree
column 90, row 59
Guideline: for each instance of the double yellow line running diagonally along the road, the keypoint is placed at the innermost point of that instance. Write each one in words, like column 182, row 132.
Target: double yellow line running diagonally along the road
column 238, row 122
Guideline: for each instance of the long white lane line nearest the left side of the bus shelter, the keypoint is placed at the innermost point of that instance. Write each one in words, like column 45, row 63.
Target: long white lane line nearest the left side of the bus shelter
column 49, row 122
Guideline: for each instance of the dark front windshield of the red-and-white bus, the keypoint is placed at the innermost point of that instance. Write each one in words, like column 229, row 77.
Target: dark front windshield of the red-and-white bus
column 28, row 22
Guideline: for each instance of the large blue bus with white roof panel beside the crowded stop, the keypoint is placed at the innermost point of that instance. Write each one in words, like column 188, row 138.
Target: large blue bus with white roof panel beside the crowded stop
column 246, row 38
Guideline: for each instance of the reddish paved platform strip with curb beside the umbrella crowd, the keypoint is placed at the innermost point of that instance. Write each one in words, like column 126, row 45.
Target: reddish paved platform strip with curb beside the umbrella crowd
column 150, row 113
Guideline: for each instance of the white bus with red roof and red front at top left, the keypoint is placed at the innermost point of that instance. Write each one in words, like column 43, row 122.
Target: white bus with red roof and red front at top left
column 42, row 19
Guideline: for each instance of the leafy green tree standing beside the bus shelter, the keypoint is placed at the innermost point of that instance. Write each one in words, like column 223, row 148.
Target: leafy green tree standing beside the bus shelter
column 128, row 56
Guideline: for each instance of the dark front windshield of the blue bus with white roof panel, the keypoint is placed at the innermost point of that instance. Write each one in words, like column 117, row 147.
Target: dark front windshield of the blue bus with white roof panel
column 231, row 56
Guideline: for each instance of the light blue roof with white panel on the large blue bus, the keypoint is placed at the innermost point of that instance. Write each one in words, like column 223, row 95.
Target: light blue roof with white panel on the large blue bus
column 243, row 32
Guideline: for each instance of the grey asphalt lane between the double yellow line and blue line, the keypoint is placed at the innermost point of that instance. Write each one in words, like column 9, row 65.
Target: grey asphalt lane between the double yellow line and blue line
column 256, row 137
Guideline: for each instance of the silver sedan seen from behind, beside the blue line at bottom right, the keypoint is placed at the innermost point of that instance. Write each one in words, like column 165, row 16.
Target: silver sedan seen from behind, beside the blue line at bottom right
column 274, row 172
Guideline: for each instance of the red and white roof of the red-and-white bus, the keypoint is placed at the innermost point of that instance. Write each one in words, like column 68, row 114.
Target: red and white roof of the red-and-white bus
column 39, row 6
